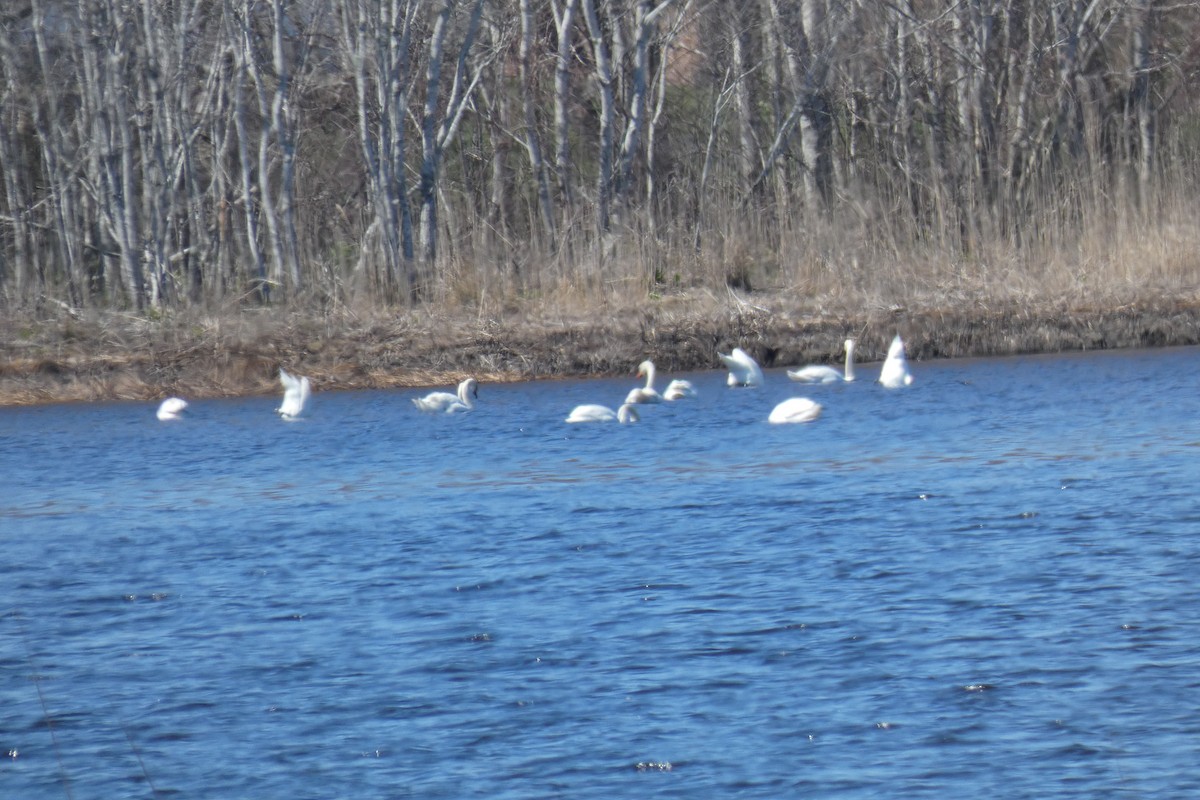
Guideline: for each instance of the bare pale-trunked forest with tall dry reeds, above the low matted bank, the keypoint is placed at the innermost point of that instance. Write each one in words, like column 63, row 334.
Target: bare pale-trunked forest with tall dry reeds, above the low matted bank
column 161, row 154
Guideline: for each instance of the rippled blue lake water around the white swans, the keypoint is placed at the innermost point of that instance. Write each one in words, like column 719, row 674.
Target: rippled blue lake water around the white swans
column 981, row 586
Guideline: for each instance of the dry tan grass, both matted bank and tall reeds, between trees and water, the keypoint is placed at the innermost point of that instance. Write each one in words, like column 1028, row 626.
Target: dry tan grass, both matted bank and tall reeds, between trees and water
column 789, row 293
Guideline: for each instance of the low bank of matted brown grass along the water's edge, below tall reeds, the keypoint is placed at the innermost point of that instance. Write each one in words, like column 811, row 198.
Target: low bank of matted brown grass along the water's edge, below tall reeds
column 74, row 357
